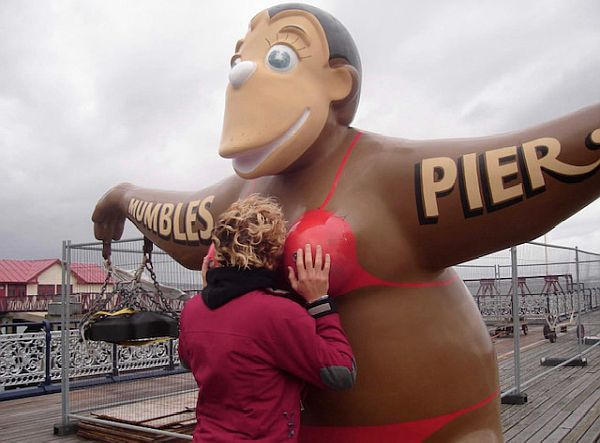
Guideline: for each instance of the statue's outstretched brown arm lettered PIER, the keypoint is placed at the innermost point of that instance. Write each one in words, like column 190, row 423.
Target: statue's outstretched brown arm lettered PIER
column 476, row 196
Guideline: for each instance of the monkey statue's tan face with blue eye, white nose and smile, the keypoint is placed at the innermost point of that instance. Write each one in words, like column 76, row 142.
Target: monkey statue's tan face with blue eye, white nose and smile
column 279, row 94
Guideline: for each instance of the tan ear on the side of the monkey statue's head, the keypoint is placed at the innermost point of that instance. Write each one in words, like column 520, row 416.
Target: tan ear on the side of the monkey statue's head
column 345, row 102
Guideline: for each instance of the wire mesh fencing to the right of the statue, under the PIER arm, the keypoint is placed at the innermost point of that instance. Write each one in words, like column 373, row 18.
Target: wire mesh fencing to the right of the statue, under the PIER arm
column 557, row 291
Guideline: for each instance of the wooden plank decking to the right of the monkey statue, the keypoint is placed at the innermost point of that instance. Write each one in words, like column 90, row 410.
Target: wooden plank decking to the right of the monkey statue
column 563, row 406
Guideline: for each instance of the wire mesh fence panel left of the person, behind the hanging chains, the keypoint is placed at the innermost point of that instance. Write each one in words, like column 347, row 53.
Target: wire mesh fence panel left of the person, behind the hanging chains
column 152, row 392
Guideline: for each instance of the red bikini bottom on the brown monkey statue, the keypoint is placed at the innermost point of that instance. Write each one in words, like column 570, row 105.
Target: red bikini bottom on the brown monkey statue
column 407, row 432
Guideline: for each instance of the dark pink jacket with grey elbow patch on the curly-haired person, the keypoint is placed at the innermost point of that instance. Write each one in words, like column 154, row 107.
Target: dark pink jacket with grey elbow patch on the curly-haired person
column 251, row 358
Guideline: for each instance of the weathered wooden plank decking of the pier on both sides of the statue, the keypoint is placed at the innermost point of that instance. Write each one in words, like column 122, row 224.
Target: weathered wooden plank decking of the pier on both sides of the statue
column 564, row 406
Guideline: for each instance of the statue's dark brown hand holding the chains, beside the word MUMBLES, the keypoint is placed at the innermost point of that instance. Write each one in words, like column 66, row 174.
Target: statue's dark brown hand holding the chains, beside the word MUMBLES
column 110, row 213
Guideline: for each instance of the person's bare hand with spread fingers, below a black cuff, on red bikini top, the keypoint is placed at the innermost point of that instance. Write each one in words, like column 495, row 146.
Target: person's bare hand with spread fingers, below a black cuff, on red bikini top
column 312, row 282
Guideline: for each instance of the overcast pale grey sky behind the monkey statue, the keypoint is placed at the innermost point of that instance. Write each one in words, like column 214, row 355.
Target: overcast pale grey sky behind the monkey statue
column 93, row 93
